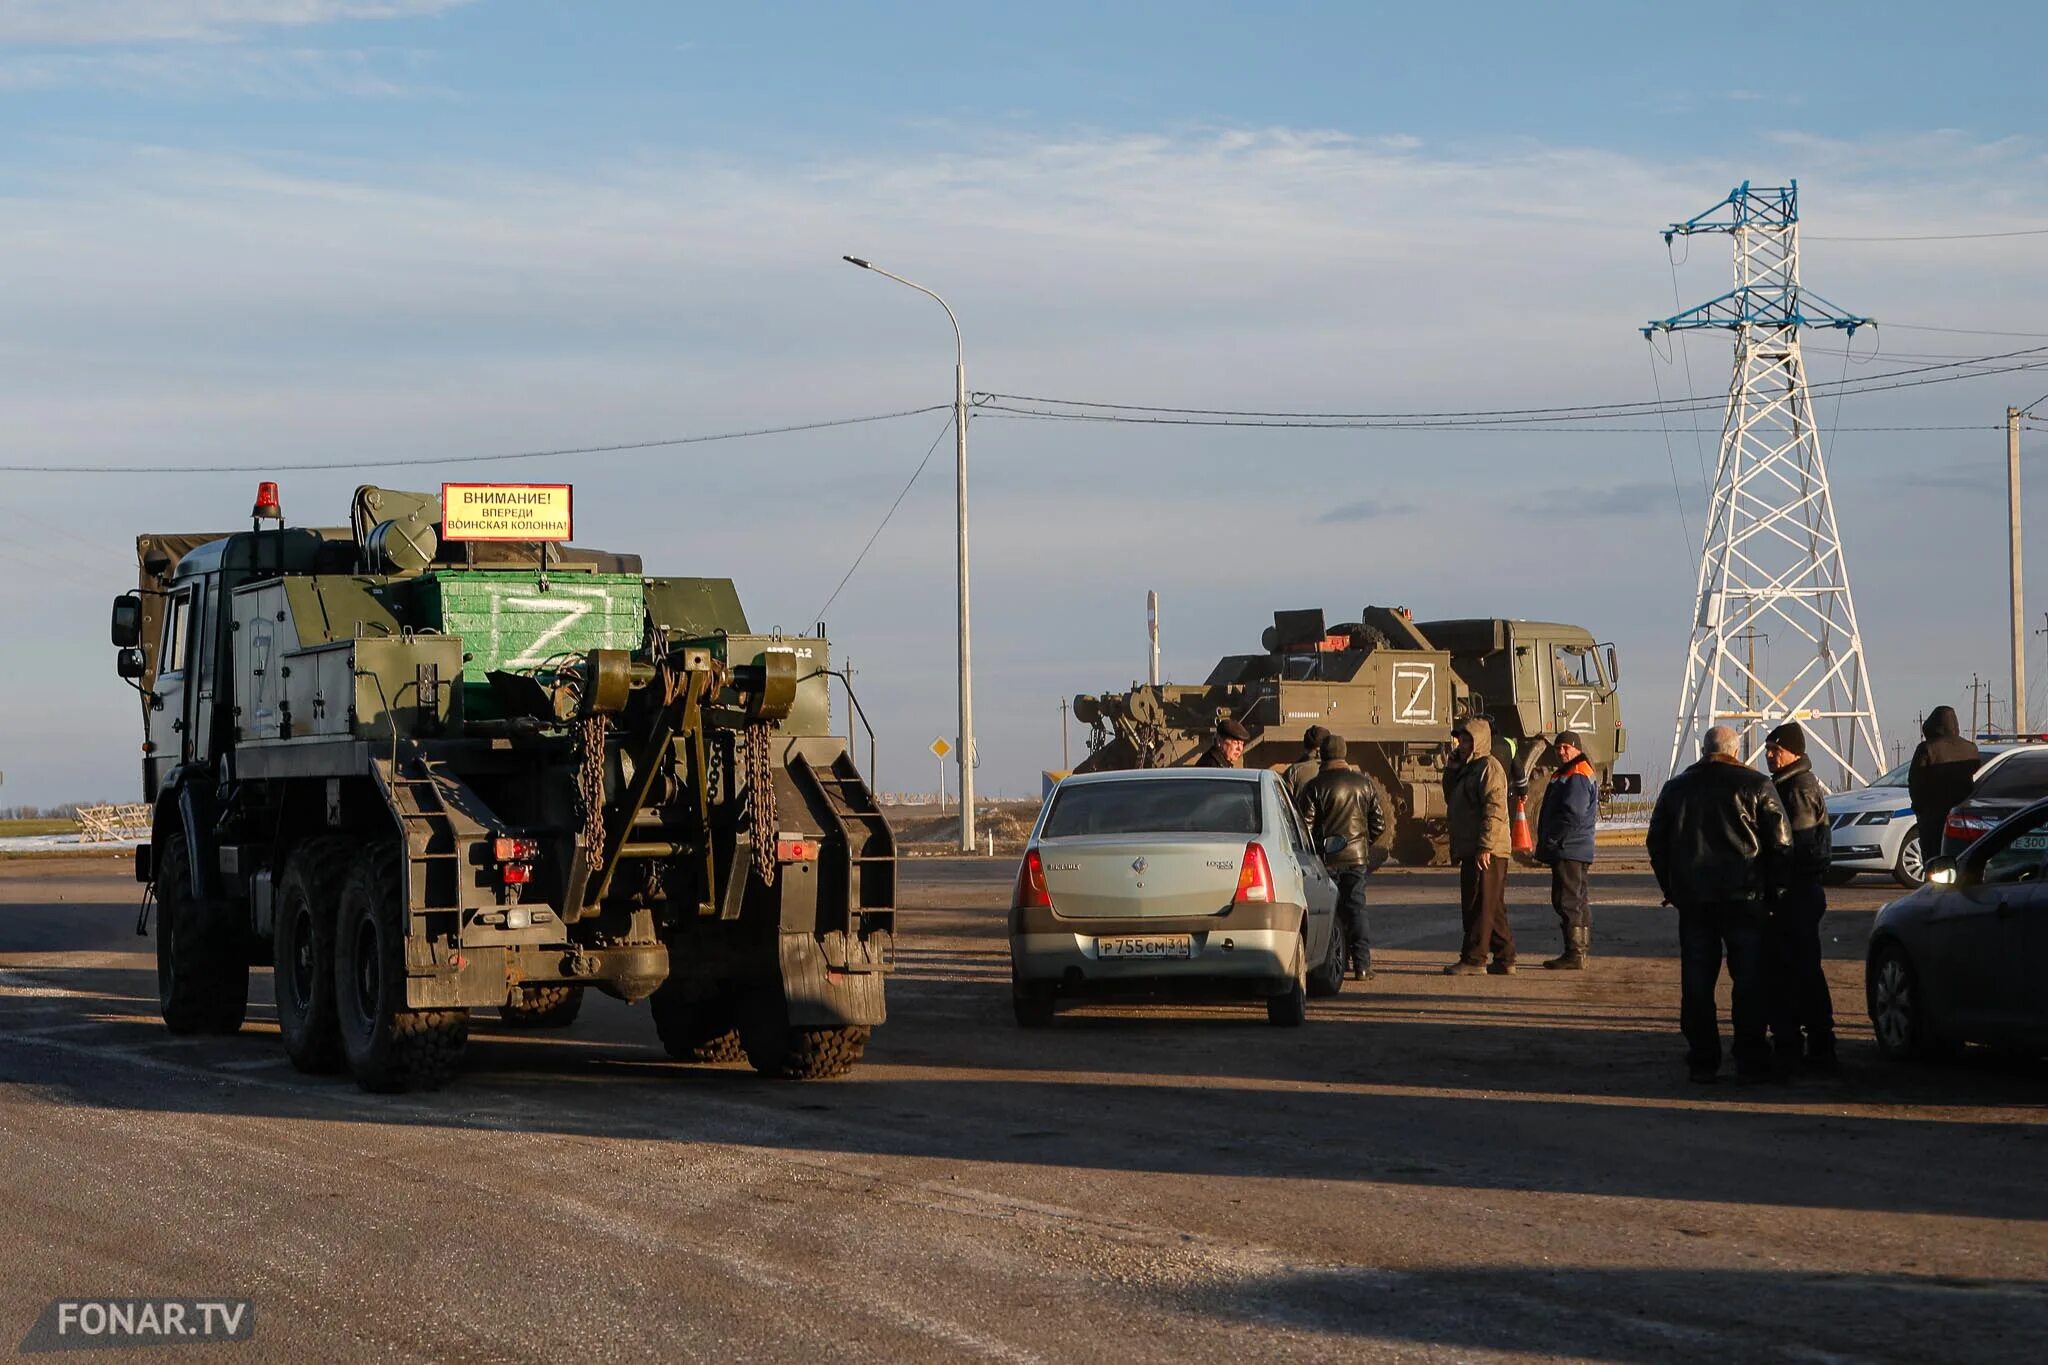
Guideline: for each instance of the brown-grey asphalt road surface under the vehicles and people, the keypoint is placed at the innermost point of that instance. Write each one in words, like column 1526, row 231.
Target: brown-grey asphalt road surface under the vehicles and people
column 1431, row 1170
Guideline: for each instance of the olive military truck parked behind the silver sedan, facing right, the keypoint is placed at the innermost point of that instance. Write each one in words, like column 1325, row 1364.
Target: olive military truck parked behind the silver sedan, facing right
column 1394, row 689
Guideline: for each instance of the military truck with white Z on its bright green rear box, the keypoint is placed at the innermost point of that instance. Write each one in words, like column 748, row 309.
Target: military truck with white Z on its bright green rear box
column 419, row 779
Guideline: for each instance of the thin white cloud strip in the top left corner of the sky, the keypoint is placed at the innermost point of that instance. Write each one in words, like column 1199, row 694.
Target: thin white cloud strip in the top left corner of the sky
column 110, row 24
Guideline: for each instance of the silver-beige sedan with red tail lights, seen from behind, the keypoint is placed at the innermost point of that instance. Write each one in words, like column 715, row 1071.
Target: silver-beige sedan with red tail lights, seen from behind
column 1172, row 883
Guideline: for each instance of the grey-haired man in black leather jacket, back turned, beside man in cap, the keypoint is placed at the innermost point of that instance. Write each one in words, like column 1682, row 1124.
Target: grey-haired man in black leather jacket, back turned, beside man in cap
column 1719, row 846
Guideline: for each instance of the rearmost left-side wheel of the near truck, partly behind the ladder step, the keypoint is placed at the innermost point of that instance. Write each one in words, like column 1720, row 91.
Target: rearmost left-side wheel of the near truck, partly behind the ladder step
column 388, row 1047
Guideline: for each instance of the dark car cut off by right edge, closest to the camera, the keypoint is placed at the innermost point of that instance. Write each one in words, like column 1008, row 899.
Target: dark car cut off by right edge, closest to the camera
column 1965, row 959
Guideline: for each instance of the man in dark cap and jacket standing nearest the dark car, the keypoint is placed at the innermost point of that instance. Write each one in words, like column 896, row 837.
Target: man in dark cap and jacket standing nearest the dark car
column 1793, row 959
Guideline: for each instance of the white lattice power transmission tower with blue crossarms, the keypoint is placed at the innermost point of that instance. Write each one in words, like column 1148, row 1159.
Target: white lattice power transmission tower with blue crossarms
column 1773, row 554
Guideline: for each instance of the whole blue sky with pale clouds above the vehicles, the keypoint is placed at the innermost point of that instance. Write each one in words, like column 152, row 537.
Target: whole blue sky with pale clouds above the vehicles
column 321, row 230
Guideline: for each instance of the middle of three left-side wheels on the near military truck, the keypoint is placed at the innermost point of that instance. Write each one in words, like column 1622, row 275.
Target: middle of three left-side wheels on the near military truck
column 302, row 953
